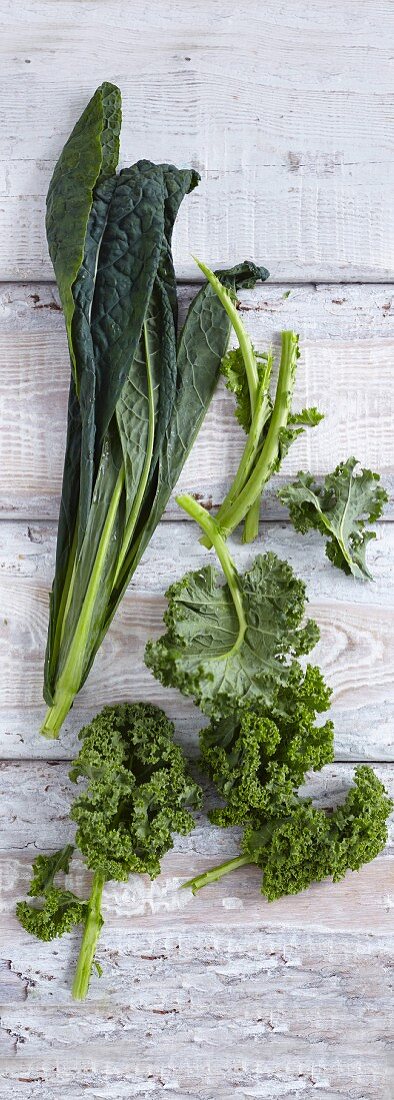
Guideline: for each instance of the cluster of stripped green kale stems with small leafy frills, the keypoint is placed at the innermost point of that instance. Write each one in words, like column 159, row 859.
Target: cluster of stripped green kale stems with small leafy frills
column 271, row 427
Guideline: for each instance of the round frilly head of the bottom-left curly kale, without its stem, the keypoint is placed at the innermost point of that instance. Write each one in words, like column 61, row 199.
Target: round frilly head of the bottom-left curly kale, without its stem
column 137, row 794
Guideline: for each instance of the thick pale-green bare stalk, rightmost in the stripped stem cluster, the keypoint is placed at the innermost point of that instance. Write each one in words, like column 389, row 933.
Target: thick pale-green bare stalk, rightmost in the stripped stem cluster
column 266, row 464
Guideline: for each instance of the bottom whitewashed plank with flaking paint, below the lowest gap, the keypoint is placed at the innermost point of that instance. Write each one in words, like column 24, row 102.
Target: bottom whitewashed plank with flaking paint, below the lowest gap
column 310, row 981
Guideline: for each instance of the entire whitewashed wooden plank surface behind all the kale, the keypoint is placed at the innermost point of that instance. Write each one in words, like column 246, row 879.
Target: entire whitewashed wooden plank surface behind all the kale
column 286, row 108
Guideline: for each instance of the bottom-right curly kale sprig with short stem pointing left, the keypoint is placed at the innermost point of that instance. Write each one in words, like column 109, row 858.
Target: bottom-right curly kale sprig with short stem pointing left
column 304, row 845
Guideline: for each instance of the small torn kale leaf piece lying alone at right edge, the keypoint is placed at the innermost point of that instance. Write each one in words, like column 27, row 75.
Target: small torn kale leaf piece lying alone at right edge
column 340, row 510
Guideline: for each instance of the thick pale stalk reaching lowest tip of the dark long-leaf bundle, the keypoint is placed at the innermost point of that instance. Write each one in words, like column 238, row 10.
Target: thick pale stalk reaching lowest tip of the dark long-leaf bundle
column 71, row 676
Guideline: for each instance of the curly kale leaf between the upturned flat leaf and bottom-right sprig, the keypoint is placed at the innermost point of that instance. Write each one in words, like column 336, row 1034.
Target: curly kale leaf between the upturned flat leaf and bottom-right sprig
column 259, row 760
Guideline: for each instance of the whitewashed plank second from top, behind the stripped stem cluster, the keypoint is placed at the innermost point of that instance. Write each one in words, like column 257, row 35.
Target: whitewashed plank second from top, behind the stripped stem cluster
column 346, row 369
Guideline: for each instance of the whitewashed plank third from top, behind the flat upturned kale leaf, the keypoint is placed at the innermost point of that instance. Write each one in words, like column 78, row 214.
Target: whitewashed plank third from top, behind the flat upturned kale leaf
column 356, row 651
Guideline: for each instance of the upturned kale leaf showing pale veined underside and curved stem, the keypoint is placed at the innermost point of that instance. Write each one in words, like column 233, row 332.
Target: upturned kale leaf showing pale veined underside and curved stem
column 231, row 645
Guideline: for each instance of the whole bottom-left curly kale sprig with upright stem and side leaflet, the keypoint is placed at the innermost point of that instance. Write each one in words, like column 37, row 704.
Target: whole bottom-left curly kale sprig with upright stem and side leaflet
column 137, row 796
